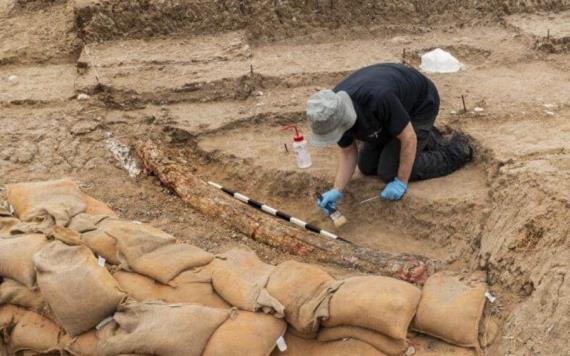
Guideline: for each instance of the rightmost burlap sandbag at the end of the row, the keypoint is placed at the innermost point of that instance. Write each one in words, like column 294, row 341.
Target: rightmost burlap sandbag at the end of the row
column 451, row 308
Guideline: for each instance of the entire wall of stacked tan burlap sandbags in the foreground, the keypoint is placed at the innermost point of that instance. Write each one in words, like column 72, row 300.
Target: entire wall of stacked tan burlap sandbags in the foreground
column 94, row 284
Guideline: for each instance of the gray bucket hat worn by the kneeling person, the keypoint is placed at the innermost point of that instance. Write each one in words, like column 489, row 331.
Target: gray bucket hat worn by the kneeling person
column 330, row 115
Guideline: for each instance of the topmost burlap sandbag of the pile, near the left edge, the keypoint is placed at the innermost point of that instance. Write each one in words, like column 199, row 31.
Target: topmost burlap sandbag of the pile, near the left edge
column 57, row 200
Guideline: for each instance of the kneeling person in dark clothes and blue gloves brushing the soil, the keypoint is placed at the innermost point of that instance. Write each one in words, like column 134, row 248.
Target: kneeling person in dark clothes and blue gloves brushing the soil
column 391, row 109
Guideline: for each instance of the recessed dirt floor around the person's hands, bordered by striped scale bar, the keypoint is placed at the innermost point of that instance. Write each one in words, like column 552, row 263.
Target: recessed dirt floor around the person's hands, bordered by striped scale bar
column 262, row 150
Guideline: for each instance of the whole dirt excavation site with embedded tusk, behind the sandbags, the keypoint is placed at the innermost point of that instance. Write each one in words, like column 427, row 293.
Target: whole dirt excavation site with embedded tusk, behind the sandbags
column 213, row 83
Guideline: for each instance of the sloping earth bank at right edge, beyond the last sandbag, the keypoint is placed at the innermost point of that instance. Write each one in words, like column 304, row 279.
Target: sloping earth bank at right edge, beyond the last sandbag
column 526, row 249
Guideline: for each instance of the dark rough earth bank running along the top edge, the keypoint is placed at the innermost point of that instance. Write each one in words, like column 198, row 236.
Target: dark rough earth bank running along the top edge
column 264, row 19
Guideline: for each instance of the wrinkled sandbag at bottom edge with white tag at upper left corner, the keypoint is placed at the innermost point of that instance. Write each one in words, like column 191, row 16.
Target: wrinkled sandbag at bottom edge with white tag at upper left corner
column 162, row 329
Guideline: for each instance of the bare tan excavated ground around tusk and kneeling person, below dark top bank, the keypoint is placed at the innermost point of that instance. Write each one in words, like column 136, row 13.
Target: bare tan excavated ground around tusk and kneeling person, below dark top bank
column 221, row 100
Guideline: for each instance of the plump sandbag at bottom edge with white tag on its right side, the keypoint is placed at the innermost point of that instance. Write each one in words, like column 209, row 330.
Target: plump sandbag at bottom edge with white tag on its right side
column 252, row 334
